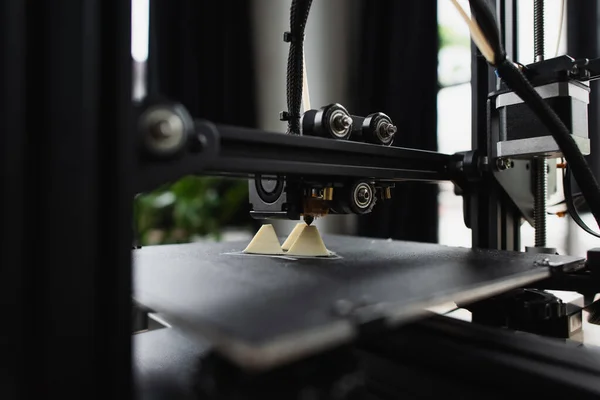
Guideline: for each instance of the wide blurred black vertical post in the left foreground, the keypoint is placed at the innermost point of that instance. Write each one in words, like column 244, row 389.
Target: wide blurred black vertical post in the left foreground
column 67, row 148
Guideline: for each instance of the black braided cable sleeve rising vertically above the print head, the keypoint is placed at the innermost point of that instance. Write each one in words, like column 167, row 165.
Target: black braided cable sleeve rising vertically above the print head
column 298, row 16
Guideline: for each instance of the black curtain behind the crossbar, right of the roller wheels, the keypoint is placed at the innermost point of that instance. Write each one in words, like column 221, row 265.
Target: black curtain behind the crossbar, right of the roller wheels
column 397, row 74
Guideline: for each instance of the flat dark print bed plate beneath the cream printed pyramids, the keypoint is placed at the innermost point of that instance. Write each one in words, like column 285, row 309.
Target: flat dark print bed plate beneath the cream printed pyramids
column 264, row 311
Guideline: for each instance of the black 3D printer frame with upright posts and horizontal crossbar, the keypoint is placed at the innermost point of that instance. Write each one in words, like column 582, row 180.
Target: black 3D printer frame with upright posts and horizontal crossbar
column 66, row 341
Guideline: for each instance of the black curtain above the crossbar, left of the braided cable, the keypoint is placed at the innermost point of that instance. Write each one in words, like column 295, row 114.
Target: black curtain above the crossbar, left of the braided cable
column 201, row 55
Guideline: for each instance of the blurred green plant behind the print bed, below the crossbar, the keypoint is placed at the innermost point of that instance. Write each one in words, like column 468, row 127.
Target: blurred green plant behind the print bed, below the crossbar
column 190, row 208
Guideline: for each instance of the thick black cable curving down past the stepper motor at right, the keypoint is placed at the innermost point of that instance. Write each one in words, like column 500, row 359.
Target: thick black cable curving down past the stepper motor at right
column 514, row 79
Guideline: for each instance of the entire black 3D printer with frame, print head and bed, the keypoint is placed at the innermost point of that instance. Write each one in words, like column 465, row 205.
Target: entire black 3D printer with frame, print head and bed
column 273, row 328
